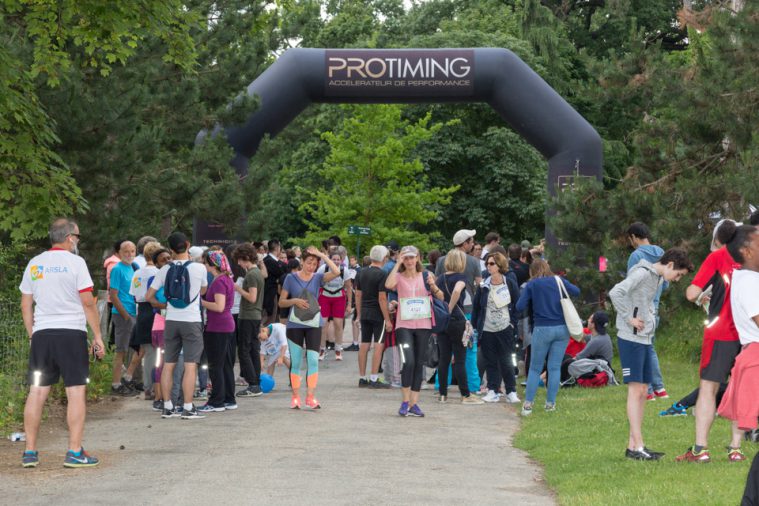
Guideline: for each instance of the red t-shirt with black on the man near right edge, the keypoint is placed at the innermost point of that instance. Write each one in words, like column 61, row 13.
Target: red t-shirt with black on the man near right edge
column 717, row 271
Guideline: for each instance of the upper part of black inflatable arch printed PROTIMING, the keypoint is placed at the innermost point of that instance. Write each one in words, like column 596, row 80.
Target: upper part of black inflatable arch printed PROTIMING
column 496, row 76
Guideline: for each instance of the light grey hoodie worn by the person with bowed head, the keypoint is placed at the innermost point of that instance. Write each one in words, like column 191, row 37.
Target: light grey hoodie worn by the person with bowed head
column 639, row 290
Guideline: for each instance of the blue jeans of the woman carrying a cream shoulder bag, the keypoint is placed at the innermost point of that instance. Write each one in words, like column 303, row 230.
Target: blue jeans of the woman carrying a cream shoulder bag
column 547, row 342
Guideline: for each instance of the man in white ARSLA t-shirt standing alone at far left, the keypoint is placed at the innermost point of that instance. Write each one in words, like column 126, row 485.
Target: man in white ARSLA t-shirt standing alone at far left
column 57, row 304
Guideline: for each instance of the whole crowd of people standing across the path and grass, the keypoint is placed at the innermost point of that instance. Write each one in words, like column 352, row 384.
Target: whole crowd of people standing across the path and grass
column 182, row 317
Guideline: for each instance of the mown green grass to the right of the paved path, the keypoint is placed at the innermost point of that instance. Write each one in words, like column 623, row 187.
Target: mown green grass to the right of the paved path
column 581, row 445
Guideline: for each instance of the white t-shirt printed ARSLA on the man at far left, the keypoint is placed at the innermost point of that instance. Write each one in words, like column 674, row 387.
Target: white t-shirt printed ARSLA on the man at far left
column 54, row 279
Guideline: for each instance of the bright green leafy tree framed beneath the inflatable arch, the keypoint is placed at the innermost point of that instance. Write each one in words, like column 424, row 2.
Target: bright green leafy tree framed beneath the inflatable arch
column 371, row 179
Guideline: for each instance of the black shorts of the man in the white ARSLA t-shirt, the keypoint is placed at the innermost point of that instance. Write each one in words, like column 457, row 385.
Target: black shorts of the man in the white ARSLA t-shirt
column 59, row 352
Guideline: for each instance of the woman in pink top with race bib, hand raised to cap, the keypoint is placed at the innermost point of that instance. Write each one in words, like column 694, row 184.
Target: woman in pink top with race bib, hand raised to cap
column 413, row 323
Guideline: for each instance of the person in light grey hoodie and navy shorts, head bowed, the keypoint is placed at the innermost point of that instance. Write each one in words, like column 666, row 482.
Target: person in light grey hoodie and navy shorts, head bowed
column 633, row 299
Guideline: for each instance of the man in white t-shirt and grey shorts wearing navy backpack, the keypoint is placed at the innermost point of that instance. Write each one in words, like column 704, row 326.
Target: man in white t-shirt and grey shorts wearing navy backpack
column 184, row 328
